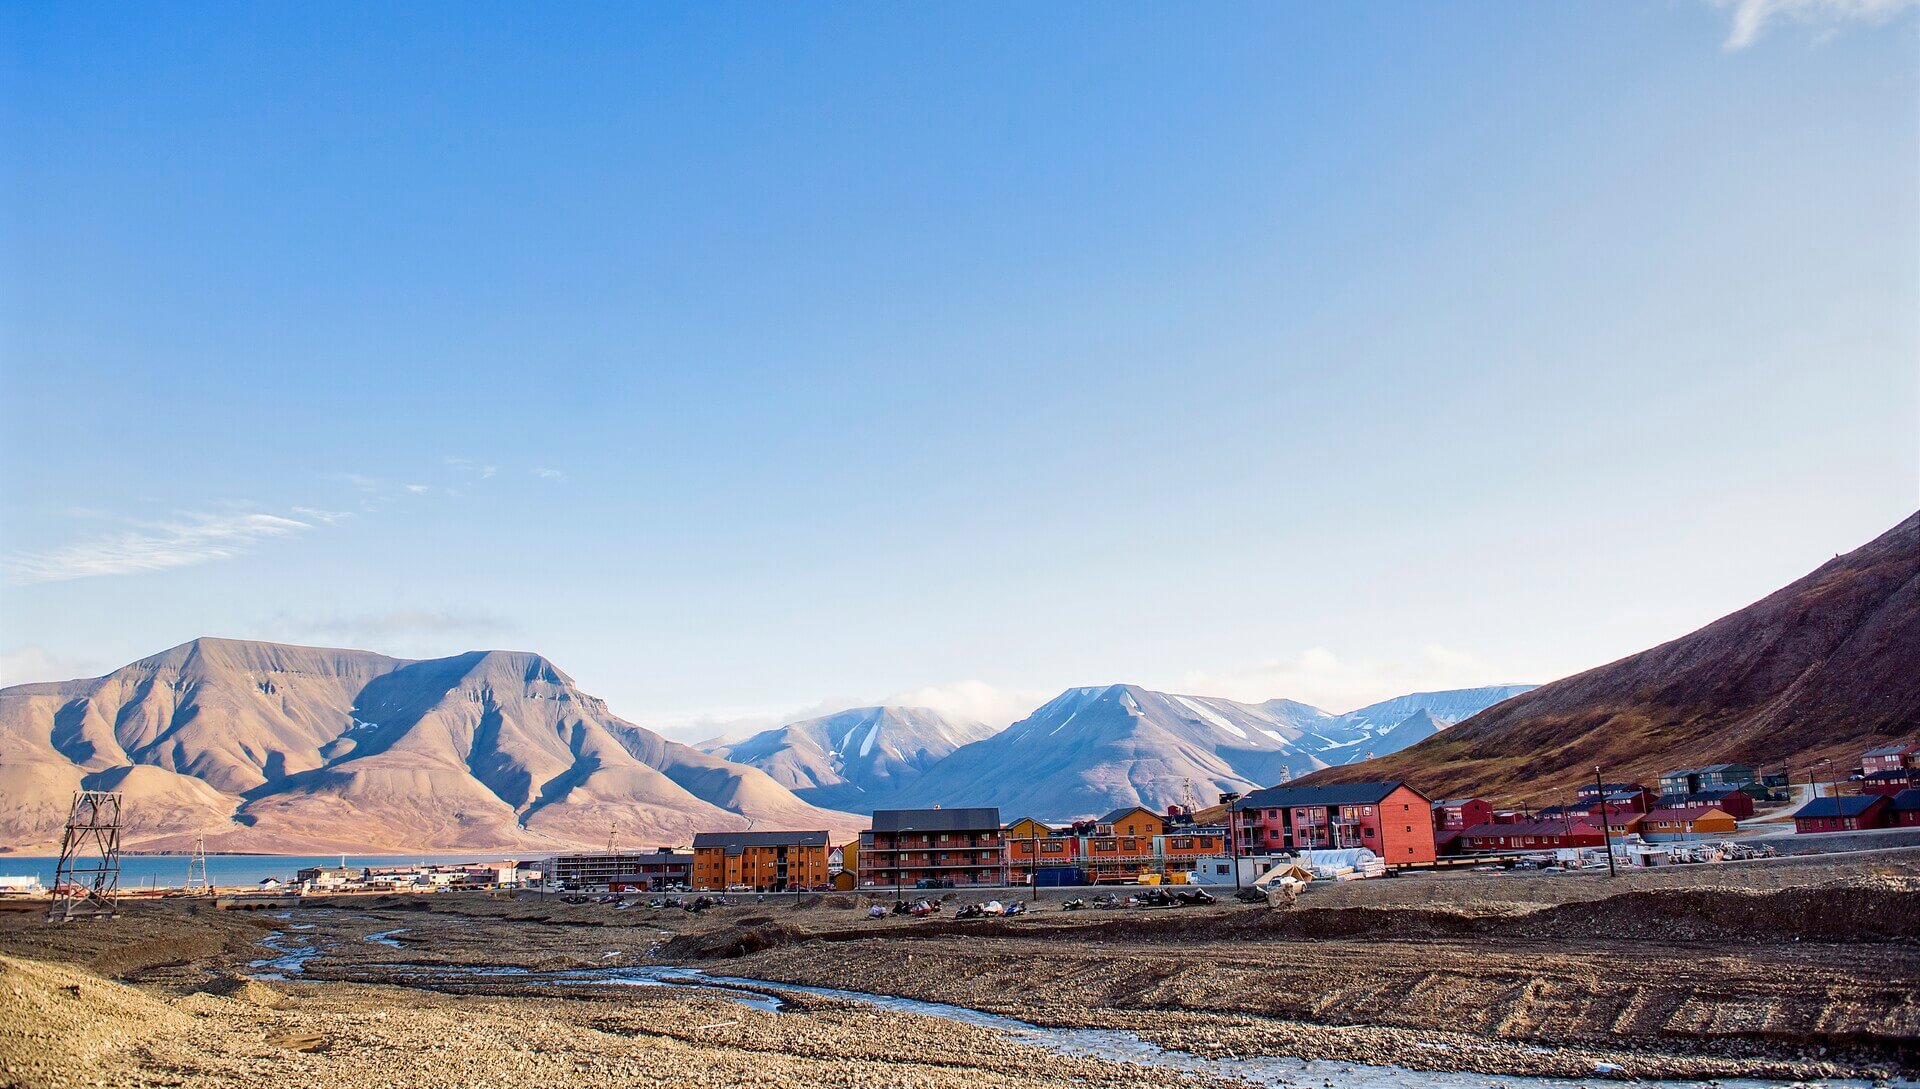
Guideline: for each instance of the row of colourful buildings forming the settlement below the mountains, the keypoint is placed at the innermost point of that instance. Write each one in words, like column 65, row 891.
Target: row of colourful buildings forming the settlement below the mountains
column 1345, row 831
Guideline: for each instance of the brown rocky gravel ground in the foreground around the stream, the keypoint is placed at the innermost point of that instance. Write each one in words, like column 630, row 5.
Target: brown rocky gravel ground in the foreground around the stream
column 1787, row 969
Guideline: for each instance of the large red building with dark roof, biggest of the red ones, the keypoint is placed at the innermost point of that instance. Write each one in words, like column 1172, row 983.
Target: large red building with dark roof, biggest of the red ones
column 1389, row 819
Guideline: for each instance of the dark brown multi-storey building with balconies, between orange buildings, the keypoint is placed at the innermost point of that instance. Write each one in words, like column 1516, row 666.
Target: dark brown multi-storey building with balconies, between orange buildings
column 936, row 846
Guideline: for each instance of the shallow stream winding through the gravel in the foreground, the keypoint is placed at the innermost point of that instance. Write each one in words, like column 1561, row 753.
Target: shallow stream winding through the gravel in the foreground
column 1115, row 1046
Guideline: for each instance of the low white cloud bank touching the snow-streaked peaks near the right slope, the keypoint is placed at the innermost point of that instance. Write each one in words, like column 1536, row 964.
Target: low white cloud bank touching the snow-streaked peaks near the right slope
column 1337, row 685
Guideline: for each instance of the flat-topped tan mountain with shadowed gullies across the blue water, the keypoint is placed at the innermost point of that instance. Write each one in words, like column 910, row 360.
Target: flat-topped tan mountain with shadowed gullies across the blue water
column 274, row 748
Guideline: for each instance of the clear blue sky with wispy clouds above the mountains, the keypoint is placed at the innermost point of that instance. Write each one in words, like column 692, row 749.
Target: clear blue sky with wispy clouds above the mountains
column 761, row 360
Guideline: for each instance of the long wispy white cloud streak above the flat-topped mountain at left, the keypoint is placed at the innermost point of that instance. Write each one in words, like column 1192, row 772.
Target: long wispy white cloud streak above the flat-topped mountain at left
column 153, row 546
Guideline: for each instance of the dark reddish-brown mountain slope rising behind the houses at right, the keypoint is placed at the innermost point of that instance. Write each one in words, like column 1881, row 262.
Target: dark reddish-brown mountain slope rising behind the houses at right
column 1825, row 667
